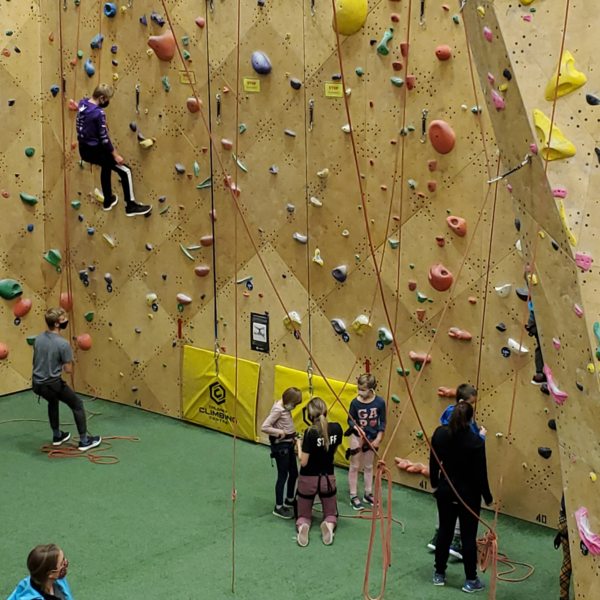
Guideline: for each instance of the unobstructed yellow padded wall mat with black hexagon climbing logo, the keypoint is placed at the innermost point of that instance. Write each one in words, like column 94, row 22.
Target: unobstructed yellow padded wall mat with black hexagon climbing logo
column 209, row 399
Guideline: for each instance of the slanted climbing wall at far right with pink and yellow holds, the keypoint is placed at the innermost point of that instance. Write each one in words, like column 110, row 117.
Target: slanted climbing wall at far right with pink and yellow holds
column 556, row 208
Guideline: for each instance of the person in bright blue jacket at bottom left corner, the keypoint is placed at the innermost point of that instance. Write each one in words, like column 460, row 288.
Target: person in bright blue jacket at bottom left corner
column 47, row 567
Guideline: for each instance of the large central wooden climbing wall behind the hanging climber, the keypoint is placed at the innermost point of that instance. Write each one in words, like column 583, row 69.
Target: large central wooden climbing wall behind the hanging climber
column 297, row 173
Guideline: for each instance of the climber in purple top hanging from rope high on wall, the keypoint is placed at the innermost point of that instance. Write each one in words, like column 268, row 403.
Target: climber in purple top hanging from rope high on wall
column 96, row 148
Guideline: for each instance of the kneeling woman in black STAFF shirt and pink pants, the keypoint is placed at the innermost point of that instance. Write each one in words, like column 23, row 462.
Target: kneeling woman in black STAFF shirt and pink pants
column 316, row 451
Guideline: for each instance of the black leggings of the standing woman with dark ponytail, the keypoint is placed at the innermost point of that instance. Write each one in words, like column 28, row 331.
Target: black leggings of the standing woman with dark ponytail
column 450, row 509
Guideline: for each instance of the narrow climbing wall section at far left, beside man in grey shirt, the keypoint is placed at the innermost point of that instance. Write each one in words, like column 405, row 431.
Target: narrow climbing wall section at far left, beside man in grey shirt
column 22, row 243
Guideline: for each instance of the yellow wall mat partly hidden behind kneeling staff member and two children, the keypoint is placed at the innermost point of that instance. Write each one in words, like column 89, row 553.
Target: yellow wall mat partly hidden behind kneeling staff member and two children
column 285, row 378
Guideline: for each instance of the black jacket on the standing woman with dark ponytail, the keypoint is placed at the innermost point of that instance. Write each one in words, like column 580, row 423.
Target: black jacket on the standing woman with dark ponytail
column 464, row 461
